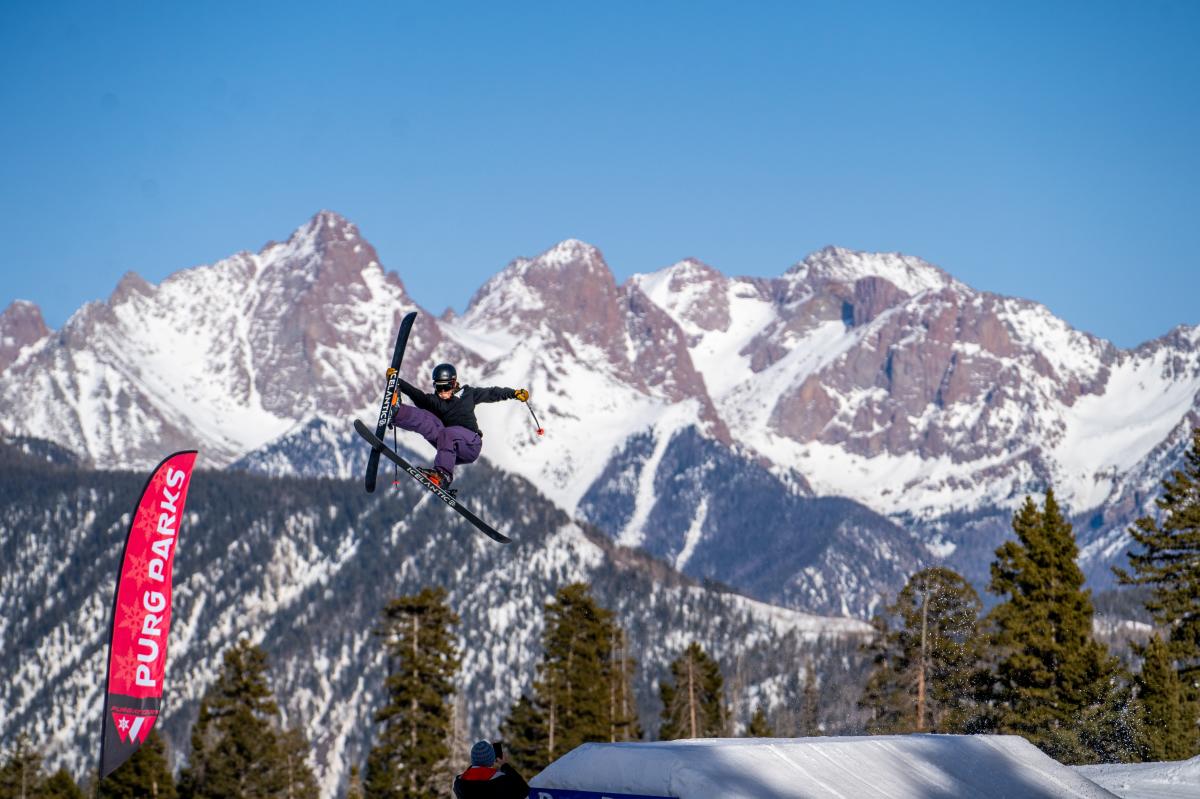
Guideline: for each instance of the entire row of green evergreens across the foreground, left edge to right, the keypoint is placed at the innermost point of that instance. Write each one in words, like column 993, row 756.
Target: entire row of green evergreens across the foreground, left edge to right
column 1030, row 666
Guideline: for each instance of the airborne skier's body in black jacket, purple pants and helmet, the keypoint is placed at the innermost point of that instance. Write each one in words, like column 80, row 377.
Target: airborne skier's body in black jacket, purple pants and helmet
column 447, row 422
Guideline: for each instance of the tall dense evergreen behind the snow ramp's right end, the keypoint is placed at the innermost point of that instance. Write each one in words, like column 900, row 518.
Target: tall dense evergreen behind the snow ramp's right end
column 1054, row 684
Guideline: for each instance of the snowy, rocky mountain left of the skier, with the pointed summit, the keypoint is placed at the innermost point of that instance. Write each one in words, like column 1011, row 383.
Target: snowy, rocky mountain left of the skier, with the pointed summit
column 224, row 357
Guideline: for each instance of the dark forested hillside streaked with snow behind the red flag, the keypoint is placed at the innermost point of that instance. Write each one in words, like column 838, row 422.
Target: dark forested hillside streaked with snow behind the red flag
column 304, row 568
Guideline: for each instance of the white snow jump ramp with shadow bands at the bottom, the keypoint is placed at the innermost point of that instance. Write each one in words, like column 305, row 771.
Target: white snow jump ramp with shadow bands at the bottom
column 885, row 767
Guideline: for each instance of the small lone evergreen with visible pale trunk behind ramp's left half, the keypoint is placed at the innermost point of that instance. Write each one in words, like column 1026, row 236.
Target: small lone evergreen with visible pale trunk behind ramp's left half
column 694, row 700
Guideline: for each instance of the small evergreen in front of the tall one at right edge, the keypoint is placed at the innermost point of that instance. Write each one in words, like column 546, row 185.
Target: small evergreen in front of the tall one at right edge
column 1165, row 725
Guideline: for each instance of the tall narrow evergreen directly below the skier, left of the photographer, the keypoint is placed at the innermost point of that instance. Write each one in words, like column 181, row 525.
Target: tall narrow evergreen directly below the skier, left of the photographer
column 412, row 758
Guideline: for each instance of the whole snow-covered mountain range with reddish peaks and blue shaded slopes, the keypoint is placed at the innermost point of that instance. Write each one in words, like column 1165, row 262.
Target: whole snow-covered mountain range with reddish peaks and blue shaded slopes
column 877, row 379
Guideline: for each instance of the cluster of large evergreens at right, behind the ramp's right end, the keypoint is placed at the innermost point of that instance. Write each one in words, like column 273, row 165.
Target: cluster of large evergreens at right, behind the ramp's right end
column 1031, row 666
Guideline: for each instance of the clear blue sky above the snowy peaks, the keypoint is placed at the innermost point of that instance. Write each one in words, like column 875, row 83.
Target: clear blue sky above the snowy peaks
column 1042, row 151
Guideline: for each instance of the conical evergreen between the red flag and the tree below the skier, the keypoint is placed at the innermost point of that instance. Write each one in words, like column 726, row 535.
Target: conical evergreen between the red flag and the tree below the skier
column 238, row 748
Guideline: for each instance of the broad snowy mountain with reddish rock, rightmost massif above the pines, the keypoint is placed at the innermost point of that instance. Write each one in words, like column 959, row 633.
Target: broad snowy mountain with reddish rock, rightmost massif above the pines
column 881, row 379
